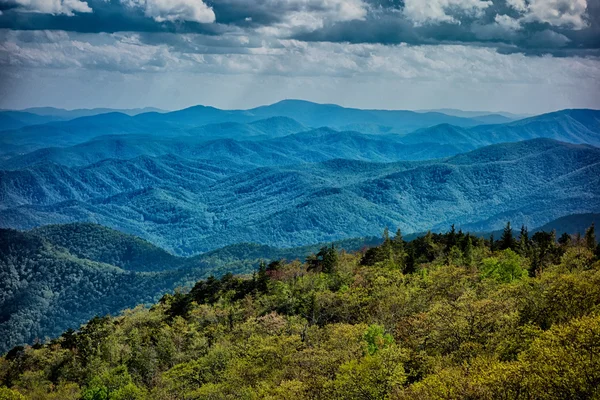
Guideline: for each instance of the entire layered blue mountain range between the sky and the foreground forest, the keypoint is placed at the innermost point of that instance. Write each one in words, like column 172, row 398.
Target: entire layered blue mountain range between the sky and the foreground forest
column 117, row 207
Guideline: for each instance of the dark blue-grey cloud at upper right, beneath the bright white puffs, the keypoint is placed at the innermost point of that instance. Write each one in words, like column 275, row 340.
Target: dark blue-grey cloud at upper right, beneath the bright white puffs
column 491, row 28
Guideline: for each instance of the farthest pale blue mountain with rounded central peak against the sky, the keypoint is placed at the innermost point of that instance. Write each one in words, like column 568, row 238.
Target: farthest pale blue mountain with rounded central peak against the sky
column 78, row 130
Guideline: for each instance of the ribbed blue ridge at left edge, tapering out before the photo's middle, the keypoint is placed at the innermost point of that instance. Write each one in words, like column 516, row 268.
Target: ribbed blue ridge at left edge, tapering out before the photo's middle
column 50, row 183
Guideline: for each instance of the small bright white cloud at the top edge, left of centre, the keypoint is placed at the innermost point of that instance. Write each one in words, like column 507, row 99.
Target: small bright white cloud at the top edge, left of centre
column 174, row 10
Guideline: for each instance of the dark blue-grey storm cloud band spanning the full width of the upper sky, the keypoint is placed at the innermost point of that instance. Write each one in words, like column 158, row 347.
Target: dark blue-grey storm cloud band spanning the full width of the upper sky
column 571, row 28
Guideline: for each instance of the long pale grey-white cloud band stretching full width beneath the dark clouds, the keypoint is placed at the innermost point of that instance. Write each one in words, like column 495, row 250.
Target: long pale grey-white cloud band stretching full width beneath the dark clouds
column 125, row 53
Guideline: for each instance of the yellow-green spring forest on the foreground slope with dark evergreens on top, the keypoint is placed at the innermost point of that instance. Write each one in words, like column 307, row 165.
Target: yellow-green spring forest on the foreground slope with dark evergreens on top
column 444, row 316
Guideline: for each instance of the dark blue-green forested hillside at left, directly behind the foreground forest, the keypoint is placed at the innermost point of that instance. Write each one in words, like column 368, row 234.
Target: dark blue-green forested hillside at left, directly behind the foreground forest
column 58, row 276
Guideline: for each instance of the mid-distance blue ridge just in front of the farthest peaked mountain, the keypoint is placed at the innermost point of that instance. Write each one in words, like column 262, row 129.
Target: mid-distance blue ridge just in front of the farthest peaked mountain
column 311, row 146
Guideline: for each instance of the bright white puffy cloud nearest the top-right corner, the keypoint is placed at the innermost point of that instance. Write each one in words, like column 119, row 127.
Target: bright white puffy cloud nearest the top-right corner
column 564, row 13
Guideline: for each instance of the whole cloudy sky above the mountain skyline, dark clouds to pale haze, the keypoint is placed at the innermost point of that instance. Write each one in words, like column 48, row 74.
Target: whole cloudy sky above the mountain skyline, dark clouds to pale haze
column 521, row 56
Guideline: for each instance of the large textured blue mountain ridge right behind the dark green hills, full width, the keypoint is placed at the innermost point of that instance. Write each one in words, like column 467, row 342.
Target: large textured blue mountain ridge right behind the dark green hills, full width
column 531, row 182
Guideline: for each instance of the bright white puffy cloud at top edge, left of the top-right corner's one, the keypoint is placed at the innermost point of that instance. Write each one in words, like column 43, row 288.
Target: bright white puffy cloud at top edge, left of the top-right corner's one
column 434, row 11
